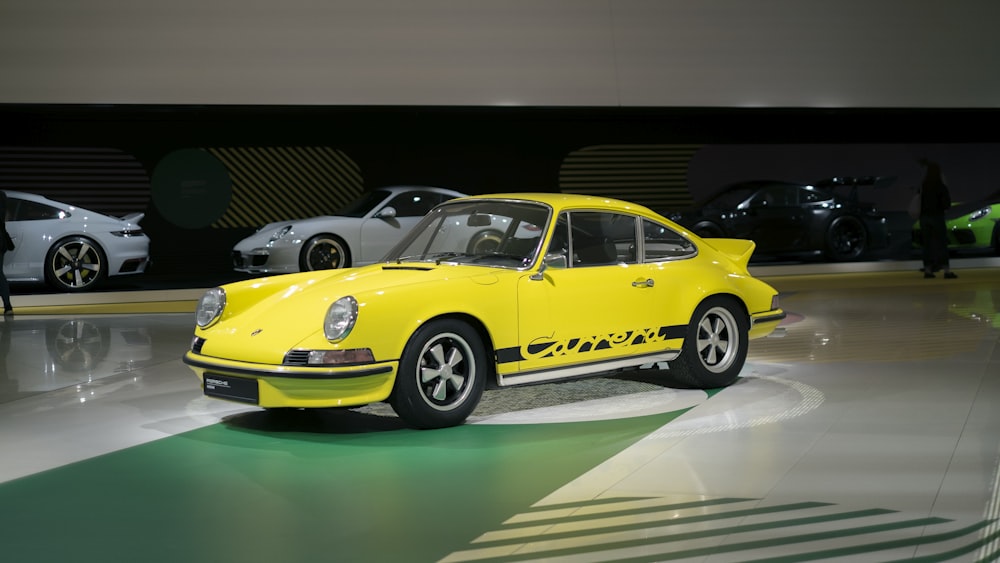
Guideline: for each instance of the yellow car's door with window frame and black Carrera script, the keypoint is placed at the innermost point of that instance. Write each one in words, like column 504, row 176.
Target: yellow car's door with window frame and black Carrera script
column 592, row 303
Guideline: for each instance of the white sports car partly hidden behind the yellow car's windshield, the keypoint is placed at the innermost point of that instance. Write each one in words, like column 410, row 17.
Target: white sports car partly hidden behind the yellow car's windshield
column 357, row 235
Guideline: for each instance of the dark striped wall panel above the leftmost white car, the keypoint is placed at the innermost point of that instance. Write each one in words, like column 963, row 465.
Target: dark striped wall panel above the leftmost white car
column 106, row 180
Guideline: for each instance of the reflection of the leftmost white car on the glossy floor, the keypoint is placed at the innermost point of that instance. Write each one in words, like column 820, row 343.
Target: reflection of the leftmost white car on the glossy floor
column 44, row 354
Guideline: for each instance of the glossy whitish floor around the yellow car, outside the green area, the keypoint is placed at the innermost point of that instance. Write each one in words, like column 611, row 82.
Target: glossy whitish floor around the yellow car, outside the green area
column 870, row 432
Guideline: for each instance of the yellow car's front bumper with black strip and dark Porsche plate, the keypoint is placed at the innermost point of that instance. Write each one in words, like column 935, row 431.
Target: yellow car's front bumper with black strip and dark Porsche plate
column 279, row 386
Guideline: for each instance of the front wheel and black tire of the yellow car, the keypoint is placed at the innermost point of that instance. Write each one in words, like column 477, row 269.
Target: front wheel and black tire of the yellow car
column 441, row 375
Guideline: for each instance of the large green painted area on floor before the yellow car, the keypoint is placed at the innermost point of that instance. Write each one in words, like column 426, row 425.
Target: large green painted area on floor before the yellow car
column 318, row 487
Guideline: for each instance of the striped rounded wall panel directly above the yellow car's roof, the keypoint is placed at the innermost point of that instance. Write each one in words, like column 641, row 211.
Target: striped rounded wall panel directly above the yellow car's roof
column 651, row 175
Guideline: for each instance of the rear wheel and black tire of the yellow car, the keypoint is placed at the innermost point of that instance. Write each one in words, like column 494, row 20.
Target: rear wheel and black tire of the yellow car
column 715, row 347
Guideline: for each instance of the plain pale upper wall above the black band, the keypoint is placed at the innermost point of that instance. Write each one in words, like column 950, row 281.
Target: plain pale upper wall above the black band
column 672, row 53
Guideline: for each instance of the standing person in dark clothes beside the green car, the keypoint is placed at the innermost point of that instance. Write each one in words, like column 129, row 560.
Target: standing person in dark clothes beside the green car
column 934, row 201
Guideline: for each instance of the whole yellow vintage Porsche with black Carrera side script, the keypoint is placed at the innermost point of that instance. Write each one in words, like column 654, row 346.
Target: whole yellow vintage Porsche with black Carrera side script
column 499, row 290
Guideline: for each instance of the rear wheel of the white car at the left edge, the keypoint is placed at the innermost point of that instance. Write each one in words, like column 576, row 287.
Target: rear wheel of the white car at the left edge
column 75, row 264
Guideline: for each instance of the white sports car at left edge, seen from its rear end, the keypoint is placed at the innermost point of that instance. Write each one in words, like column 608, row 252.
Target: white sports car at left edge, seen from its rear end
column 70, row 248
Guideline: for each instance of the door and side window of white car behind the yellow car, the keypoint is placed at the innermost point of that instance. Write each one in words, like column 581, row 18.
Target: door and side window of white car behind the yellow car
column 384, row 228
